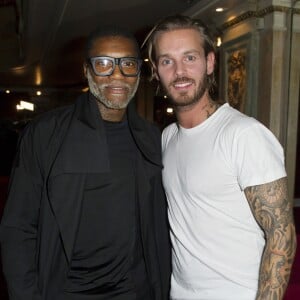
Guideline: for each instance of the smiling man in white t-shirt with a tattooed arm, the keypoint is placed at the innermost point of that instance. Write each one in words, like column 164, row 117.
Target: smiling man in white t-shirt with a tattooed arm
column 232, row 227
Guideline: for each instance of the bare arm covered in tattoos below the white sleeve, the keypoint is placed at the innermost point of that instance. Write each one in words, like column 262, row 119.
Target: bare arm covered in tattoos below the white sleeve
column 274, row 213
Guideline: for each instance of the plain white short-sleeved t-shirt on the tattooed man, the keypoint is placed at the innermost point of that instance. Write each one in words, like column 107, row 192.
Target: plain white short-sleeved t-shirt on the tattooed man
column 217, row 244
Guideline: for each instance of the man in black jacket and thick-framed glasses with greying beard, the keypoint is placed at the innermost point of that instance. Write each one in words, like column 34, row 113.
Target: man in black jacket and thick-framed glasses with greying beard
column 86, row 214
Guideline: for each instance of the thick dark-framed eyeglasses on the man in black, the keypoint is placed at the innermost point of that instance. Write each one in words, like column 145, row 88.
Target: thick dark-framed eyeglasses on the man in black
column 105, row 65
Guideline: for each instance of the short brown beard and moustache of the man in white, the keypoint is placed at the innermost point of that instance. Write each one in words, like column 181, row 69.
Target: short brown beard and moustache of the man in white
column 184, row 100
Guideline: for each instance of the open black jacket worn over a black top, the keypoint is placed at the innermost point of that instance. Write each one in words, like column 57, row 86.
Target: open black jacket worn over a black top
column 38, row 229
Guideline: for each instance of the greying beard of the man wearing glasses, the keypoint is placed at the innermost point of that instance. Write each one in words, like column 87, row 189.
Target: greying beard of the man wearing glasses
column 97, row 90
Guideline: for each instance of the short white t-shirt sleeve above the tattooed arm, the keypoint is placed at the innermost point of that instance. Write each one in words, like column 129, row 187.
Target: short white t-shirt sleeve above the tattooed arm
column 258, row 156
